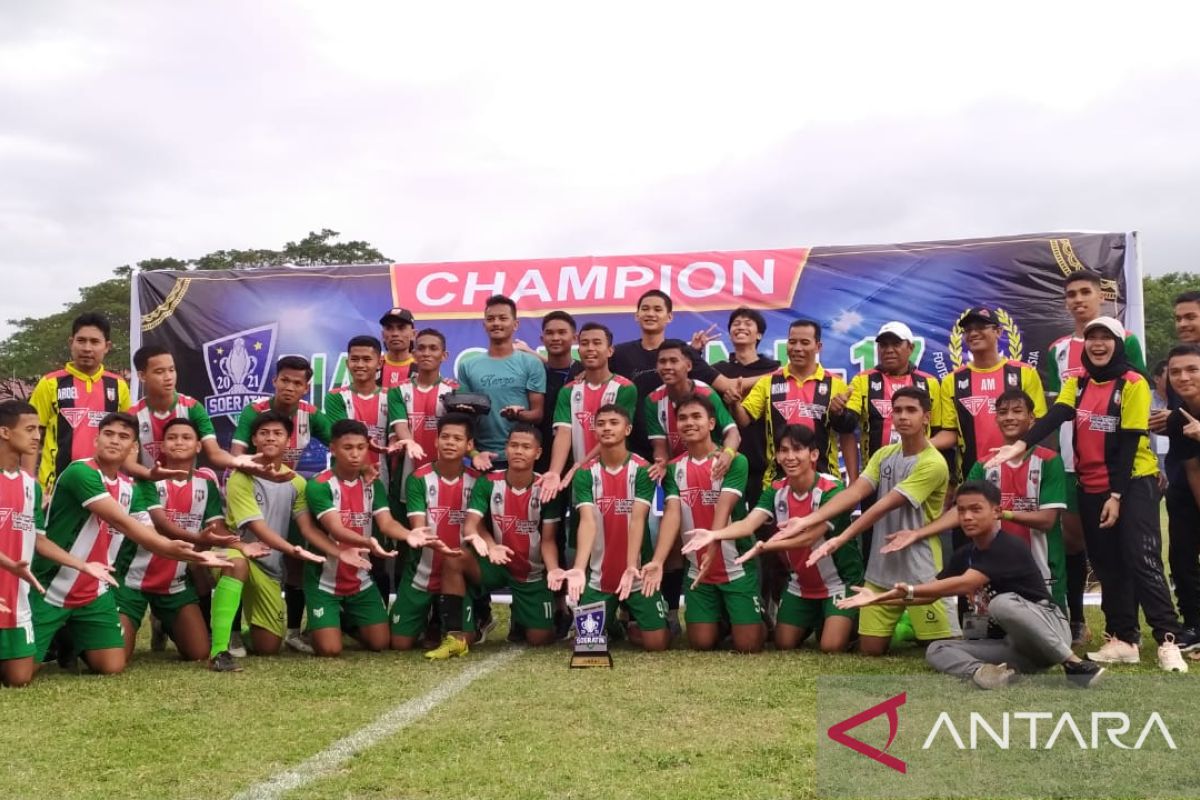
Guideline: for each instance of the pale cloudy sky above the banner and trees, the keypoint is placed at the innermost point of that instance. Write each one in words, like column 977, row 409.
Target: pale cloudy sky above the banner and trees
column 469, row 133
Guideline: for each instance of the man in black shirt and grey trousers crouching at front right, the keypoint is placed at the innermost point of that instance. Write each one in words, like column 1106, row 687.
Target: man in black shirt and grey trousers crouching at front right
column 1009, row 593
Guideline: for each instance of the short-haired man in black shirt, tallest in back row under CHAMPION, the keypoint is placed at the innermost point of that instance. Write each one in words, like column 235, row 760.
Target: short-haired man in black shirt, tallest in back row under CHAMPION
column 639, row 360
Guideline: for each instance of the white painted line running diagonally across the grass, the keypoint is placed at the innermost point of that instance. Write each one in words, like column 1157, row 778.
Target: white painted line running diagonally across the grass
column 393, row 721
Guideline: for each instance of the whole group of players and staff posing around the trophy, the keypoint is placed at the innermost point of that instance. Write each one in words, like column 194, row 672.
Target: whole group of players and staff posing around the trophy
column 550, row 495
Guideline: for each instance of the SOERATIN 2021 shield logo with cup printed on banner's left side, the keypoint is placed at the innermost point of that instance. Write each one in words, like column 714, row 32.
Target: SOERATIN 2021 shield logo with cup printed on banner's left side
column 238, row 365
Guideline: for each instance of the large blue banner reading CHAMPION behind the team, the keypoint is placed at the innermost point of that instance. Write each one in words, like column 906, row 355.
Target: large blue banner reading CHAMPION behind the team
column 227, row 329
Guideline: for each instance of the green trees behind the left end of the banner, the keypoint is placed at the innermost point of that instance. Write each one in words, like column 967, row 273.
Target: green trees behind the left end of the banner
column 40, row 344
